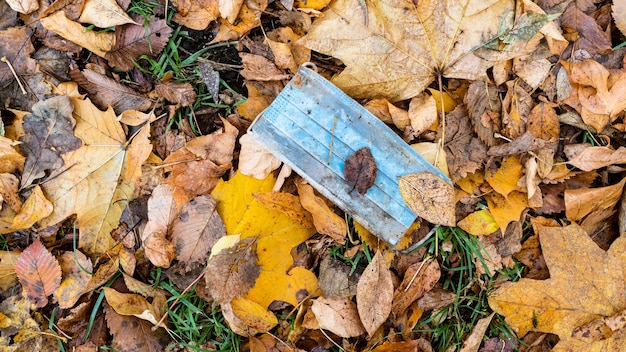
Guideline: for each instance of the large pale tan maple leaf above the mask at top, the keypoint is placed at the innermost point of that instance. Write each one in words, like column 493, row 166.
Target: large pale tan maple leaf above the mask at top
column 397, row 50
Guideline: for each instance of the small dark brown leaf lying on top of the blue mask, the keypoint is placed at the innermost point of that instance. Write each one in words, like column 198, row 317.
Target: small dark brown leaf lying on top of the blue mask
column 359, row 170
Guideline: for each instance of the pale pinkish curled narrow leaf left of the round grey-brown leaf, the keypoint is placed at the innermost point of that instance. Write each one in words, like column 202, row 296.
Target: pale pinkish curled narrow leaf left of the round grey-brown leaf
column 162, row 210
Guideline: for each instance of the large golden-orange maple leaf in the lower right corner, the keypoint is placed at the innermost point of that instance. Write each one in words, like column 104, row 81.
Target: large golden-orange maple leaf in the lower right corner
column 585, row 284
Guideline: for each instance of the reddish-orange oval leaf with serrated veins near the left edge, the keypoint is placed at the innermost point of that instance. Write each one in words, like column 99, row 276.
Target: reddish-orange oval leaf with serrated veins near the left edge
column 38, row 272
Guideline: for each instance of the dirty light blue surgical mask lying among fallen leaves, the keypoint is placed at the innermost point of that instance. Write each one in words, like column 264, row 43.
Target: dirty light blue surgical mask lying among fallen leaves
column 313, row 127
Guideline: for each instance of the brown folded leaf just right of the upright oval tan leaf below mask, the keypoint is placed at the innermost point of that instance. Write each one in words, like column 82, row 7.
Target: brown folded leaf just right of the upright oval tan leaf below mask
column 419, row 278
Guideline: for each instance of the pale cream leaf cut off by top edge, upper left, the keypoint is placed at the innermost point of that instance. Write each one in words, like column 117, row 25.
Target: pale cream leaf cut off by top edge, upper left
column 104, row 13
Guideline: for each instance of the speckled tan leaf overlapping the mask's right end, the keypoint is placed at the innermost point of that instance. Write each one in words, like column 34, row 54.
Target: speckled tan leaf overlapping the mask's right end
column 429, row 196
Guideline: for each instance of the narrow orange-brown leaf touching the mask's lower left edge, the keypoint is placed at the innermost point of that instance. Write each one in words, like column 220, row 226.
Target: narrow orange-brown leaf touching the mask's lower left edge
column 325, row 220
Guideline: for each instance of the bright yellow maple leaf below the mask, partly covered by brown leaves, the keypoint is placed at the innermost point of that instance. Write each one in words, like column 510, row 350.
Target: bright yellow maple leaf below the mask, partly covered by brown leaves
column 277, row 233
